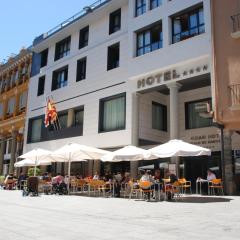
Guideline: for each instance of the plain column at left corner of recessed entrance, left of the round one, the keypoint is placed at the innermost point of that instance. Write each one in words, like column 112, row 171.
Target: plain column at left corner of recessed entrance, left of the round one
column 135, row 132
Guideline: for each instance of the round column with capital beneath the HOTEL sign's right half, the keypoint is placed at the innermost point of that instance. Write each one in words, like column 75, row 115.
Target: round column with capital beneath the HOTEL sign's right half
column 174, row 117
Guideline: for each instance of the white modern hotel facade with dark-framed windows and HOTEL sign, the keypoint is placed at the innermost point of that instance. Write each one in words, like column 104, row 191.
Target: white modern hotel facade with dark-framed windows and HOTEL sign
column 127, row 72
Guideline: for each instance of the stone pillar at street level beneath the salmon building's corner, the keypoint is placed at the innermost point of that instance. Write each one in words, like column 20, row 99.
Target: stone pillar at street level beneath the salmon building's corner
column 229, row 183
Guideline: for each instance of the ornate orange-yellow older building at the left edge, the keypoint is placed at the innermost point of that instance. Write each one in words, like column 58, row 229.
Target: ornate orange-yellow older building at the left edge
column 14, row 80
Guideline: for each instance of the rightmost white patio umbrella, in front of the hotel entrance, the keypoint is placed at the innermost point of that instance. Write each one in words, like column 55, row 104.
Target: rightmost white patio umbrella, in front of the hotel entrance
column 178, row 148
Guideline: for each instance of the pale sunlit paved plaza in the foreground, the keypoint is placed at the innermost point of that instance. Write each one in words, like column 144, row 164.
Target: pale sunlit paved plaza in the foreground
column 75, row 217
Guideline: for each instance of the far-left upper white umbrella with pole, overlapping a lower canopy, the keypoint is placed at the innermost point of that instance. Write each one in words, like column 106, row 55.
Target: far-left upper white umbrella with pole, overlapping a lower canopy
column 38, row 155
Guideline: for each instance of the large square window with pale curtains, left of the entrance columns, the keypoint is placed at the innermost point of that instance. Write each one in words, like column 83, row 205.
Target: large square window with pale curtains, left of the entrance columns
column 112, row 113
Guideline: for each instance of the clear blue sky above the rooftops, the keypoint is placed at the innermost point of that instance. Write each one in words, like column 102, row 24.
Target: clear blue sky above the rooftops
column 22, row 21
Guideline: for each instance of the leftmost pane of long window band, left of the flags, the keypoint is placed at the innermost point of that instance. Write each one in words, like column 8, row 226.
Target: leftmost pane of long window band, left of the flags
column 35, row 127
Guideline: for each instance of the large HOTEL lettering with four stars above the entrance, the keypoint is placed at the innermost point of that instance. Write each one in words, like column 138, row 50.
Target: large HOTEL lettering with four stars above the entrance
column 169, row 75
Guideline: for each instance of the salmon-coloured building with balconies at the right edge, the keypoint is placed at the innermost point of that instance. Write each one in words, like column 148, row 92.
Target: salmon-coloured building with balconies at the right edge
column 226, row 81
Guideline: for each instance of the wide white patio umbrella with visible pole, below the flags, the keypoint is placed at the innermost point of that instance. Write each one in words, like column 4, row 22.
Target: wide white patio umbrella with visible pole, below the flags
column 73, row 152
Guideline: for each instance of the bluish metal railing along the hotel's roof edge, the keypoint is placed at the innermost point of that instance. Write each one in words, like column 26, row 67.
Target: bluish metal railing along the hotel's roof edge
column 68, row 21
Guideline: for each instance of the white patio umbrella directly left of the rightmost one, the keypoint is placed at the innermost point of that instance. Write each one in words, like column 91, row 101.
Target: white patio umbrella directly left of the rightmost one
column 128, row 153
